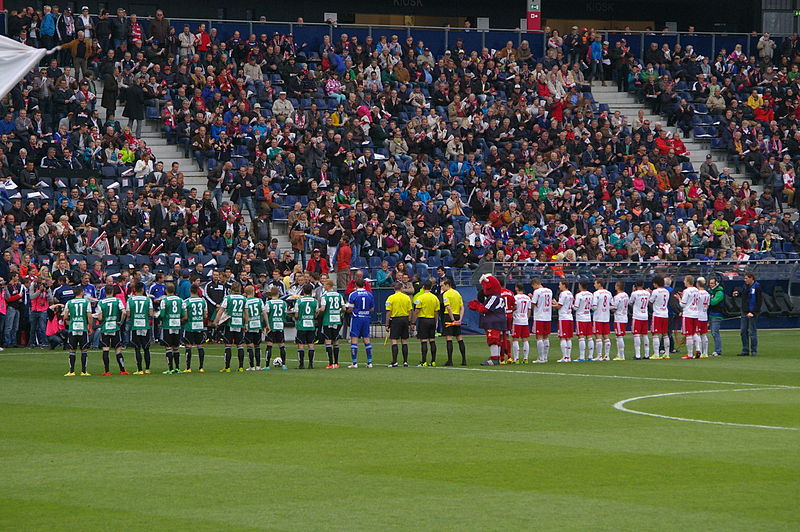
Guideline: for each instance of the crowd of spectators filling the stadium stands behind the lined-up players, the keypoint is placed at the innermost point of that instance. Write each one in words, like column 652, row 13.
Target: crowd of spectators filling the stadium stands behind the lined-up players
column 378, row 154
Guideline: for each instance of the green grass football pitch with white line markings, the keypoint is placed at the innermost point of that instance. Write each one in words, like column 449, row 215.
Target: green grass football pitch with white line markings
column 504, row 448
